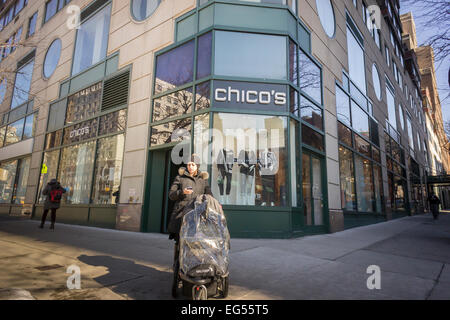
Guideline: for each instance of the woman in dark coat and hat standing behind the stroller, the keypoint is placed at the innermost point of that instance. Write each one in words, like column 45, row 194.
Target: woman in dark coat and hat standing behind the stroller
column 189, row 184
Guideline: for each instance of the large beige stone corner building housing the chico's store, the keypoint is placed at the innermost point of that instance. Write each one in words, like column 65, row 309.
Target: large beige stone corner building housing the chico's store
column 305, row 116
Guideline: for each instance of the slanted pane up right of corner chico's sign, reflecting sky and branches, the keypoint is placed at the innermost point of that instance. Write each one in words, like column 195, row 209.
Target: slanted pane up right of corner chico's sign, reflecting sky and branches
column 310, row 77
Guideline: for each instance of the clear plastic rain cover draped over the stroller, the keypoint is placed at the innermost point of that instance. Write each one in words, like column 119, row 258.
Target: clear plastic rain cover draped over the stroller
column 204, row 240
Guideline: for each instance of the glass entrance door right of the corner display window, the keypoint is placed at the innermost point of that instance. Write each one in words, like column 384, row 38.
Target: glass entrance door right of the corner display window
column 313, row 190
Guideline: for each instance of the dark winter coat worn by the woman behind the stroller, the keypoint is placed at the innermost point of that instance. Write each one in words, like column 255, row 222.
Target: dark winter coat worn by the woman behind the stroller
column 199, row 184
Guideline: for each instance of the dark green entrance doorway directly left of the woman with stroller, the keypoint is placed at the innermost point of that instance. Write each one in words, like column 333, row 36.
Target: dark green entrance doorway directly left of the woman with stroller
column 163, row 171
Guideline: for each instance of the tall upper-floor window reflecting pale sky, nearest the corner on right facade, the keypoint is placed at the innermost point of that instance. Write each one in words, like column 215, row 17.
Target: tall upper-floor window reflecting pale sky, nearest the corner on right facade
column 356, row 66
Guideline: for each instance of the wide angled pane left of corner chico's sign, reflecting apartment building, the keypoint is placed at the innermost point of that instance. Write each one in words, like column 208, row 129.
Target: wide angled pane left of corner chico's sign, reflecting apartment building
column 172, row 105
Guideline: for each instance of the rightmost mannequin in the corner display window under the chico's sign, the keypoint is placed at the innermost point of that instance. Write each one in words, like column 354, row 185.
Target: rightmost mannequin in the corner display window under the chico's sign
column 268, row 164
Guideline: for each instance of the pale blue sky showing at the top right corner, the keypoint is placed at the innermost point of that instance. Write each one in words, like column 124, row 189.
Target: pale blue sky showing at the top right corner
column 423, row 31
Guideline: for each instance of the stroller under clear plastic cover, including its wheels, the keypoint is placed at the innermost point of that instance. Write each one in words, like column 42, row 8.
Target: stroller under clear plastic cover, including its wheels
column 201, row 253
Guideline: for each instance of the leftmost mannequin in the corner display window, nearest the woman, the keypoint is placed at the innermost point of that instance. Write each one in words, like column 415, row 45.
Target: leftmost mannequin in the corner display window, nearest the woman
column 247, row 162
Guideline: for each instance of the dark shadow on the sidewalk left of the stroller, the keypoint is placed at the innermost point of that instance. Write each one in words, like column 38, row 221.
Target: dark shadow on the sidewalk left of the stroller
column 131, row 280
